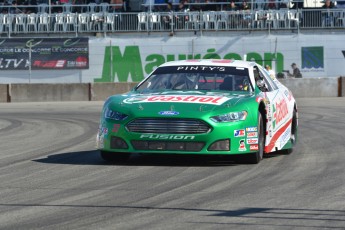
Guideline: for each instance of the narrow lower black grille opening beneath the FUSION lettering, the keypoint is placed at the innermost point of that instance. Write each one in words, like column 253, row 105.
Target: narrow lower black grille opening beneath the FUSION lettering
column 168, row 146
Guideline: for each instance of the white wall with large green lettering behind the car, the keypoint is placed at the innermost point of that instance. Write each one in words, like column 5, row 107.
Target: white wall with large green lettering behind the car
column 130, row 58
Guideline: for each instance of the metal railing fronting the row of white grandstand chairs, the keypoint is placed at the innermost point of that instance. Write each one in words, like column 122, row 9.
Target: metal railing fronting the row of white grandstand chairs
column 102, row 21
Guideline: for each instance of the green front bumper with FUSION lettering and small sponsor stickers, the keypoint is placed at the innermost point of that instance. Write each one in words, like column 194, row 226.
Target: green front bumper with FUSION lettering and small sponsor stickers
column 222, row 139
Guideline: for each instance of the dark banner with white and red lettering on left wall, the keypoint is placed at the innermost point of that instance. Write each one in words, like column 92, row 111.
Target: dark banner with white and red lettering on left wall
column 44, row 53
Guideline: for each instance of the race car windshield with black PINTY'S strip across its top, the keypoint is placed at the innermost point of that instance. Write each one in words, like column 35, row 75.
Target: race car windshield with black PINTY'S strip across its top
column 197, row 78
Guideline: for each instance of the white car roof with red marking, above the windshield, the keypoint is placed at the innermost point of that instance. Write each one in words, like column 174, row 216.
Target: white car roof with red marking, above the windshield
column 211, row 62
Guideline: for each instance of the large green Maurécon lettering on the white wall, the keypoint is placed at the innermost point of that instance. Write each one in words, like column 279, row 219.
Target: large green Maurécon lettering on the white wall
column 131, row 66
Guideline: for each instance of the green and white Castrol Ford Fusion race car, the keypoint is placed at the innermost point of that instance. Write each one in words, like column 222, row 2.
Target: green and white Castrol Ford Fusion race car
column 204, row 107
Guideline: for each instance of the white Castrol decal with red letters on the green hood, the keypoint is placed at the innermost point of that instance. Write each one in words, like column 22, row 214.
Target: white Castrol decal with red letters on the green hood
column 214, row 100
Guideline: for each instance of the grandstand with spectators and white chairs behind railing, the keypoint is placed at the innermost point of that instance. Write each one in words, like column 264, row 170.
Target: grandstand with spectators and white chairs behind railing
column 105, row 18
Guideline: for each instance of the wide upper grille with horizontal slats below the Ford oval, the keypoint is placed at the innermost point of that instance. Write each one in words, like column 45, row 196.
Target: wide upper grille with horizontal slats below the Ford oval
column 168, row 126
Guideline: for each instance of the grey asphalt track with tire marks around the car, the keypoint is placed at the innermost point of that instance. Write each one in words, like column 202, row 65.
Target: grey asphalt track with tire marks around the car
column 51, row 177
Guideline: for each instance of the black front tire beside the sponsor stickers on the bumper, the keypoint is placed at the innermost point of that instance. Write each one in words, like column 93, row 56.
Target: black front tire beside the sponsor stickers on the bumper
column 255, row 158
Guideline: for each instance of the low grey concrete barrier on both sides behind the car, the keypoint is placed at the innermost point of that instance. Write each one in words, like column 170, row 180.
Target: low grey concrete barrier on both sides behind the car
column 314, row 87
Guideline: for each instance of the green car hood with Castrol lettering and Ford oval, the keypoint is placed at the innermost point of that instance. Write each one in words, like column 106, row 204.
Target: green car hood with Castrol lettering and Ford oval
column 178, row 103
